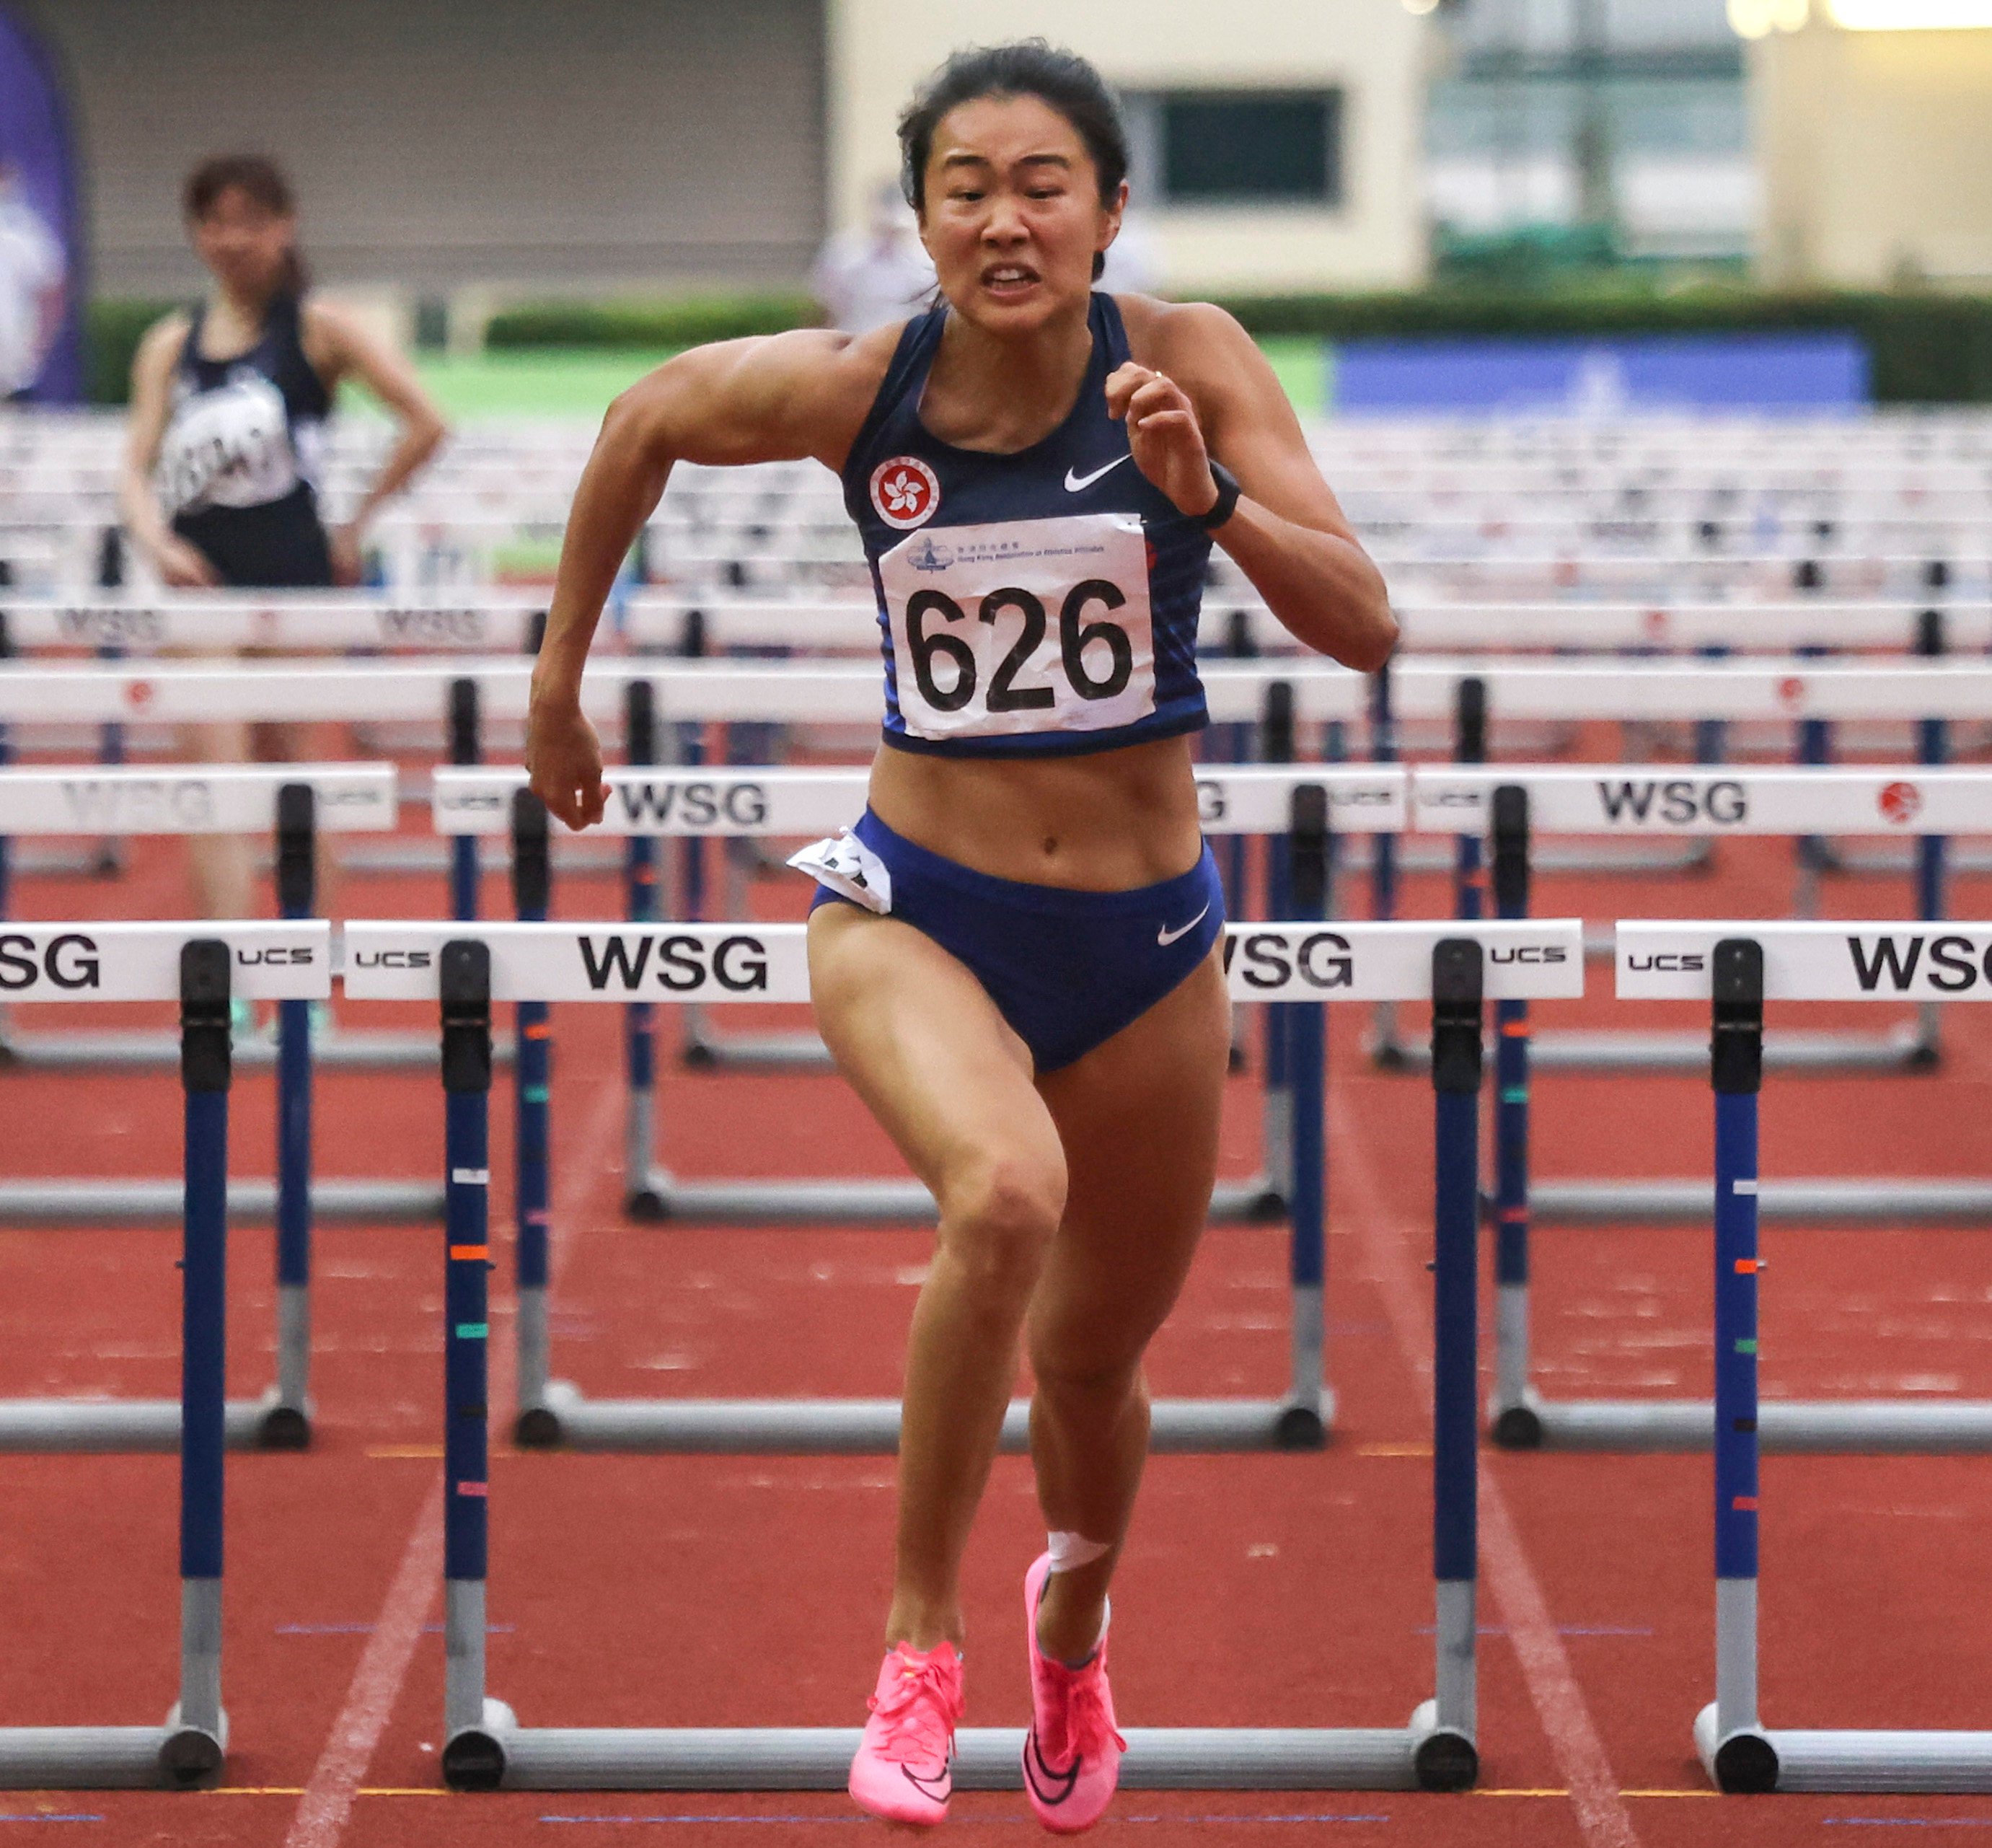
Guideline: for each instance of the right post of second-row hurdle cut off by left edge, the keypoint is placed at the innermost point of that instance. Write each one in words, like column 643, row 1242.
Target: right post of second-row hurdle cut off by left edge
column 288, row 1415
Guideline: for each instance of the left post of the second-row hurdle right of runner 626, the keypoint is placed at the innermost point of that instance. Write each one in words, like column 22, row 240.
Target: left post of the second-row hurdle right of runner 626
column 1517, row 1421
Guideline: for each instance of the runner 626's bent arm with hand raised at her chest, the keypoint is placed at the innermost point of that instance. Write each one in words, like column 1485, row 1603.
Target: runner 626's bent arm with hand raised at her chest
column 1216, row 395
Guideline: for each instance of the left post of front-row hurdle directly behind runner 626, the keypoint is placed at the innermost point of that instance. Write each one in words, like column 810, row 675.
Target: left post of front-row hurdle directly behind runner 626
column 465, row 983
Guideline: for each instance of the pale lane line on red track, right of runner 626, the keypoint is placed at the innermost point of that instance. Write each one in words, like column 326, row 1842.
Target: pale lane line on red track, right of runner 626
column 1553, row 1686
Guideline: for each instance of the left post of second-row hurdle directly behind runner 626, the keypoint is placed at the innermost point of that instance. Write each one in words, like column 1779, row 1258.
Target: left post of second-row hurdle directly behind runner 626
column 533, row 881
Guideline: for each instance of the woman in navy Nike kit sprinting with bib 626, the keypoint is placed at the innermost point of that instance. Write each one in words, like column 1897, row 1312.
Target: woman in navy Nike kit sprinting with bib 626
column 1013, row 955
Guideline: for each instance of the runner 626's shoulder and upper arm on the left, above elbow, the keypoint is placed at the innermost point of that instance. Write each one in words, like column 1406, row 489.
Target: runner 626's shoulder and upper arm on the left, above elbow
column 766, row 399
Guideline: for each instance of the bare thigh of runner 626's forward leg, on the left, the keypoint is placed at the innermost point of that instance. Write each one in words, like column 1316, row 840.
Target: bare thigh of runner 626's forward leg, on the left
column 923, row 1044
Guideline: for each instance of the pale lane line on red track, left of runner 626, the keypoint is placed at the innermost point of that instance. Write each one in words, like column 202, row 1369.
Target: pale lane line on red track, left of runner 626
column 336, row 1779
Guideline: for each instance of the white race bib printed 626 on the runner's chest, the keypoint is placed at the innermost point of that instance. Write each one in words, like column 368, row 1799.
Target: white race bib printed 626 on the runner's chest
column 1023, row 626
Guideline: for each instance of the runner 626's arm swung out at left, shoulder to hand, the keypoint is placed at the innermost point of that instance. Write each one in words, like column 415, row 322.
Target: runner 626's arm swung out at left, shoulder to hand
column 770, row 399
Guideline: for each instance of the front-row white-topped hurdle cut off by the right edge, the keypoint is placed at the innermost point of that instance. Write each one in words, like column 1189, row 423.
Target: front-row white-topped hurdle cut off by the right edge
column 1736, row 969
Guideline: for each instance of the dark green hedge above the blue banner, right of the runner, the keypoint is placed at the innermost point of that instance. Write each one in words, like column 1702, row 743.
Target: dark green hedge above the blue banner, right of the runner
column 1927, row 349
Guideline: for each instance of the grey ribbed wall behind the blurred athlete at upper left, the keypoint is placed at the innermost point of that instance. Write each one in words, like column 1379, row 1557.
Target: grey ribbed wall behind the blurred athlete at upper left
column 541, row 146
